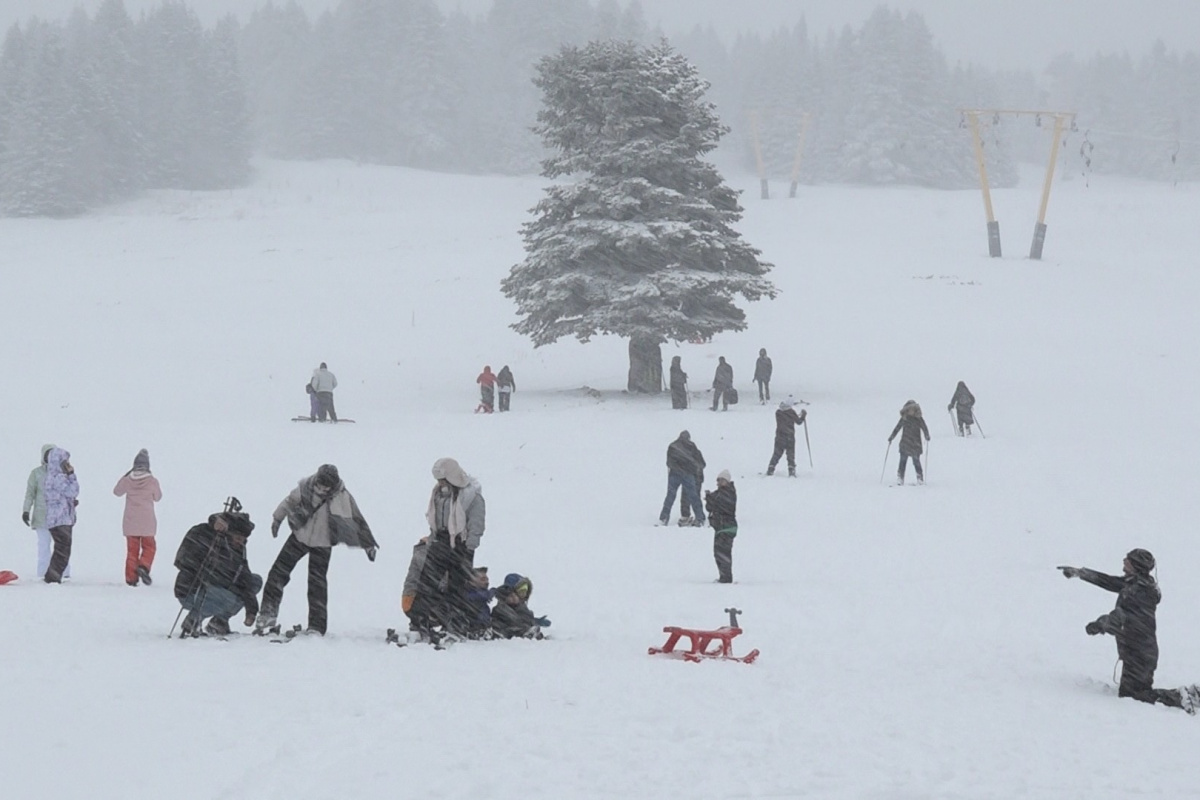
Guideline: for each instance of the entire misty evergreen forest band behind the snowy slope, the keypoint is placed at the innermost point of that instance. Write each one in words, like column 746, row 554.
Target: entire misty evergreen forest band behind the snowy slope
column 98, row 109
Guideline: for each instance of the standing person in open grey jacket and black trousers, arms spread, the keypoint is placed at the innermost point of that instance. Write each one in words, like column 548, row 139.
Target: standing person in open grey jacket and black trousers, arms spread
column 321, row 514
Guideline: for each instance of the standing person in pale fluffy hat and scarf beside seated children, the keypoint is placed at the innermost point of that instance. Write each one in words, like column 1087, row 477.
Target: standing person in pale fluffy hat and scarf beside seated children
column 457, row 516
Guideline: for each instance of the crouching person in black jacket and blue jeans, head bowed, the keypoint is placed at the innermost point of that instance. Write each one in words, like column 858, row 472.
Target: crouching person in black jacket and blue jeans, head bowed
column 214, row 578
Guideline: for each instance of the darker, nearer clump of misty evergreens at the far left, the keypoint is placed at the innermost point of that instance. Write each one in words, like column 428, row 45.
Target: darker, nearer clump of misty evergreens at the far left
column 99, row 109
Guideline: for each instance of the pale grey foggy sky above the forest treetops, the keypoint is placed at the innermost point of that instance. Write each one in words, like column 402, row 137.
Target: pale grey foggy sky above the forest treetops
column 1005, row 34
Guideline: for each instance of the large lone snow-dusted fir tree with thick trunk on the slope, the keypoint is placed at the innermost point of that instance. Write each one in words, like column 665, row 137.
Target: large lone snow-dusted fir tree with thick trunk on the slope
column 641, row 243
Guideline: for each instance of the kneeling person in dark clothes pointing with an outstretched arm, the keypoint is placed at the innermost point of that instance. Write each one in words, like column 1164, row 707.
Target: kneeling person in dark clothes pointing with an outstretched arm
column 1132, row 623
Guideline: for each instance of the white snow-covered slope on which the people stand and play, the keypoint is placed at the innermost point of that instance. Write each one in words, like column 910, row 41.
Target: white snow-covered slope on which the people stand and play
column 916, row 643
